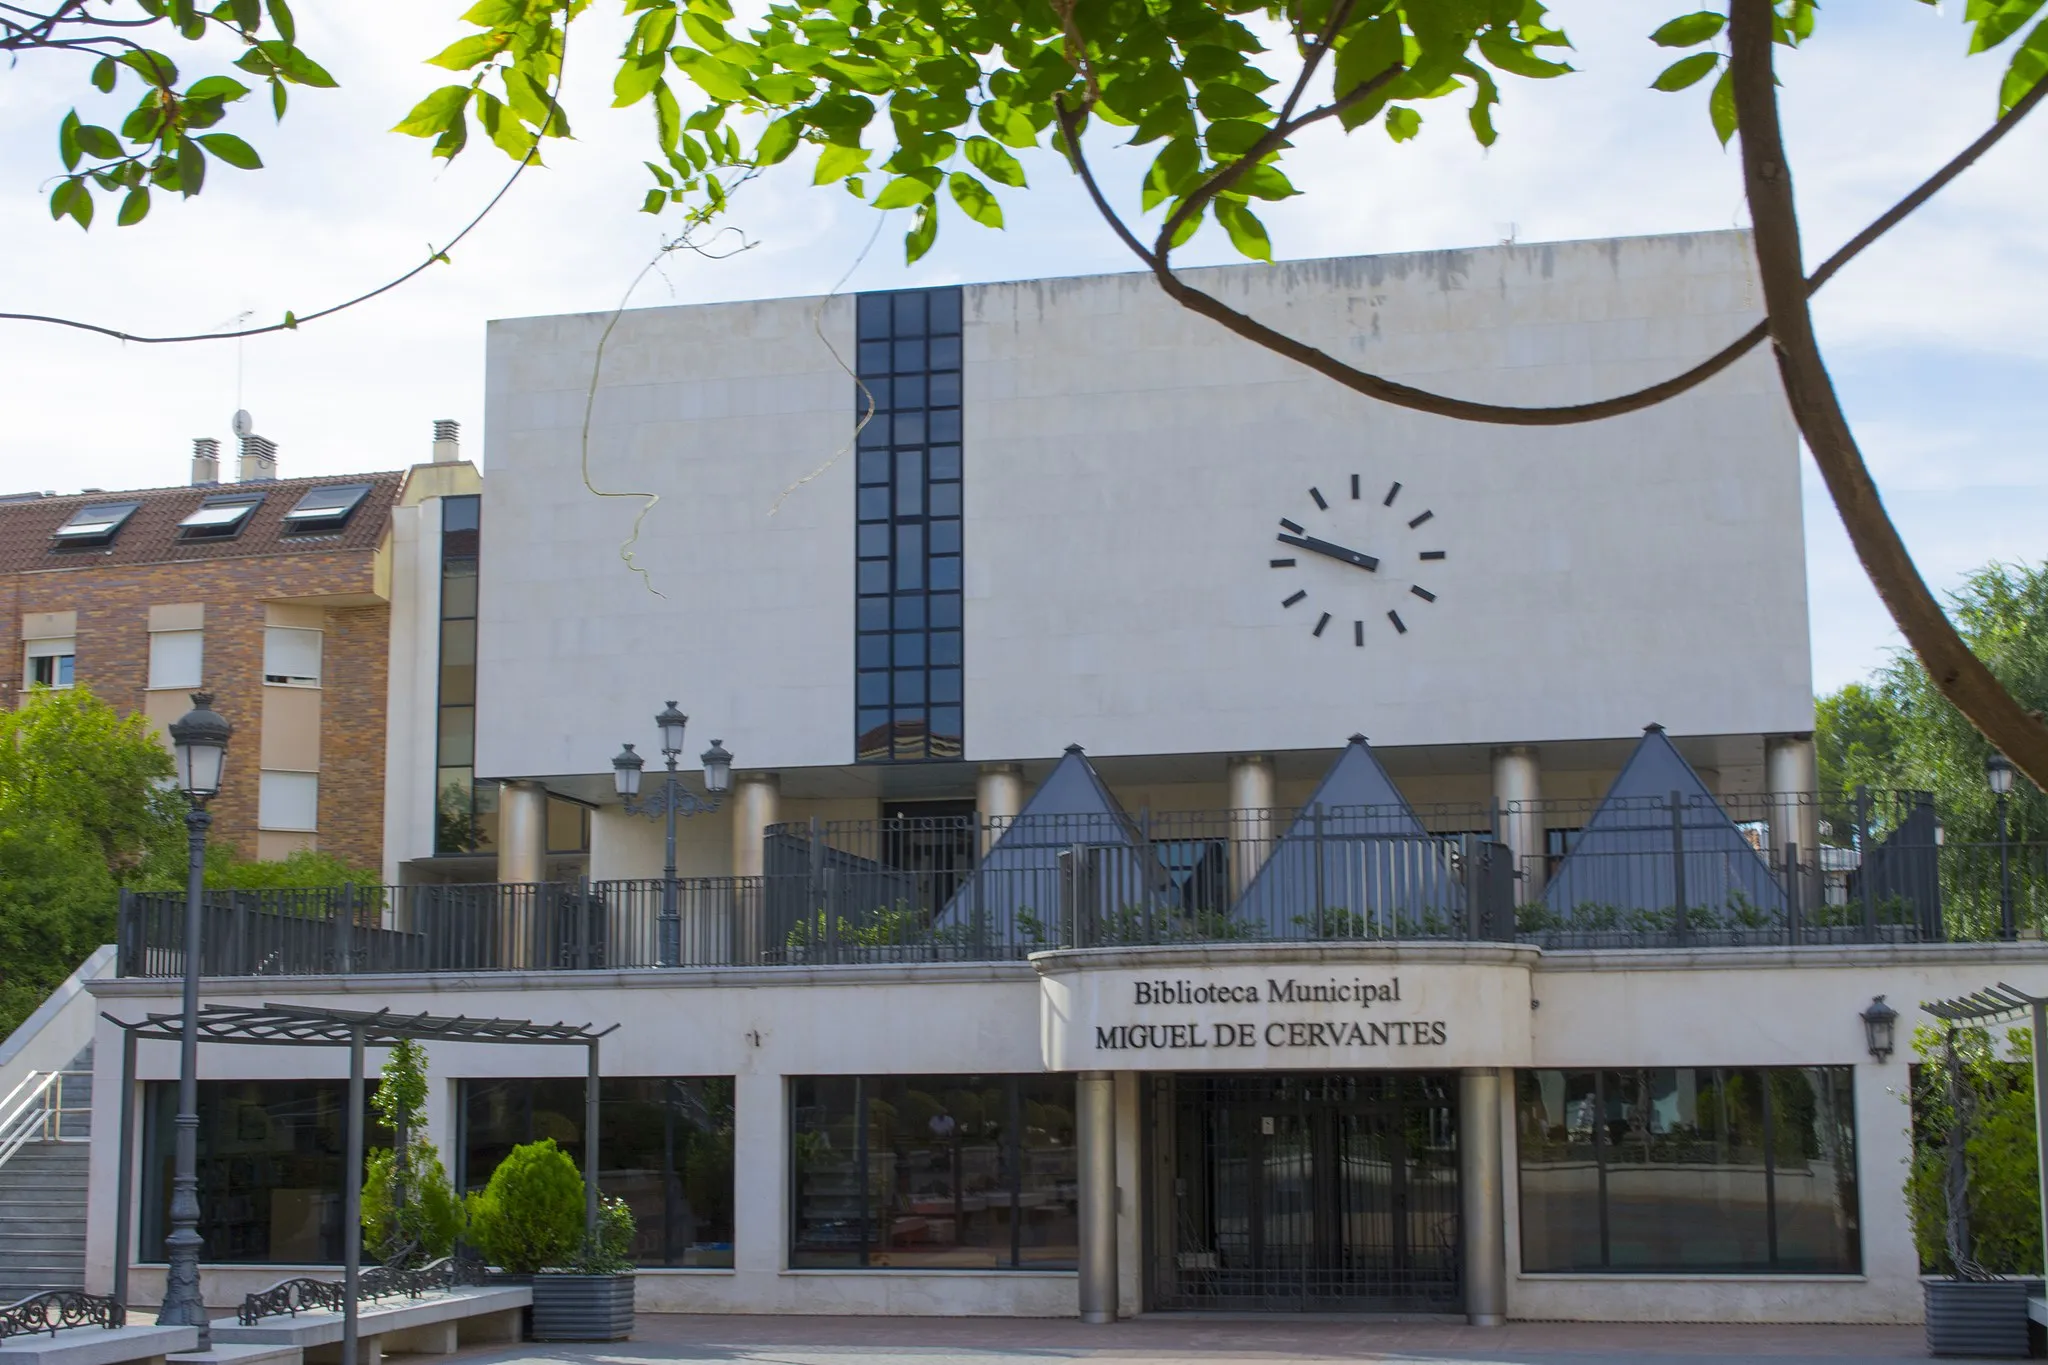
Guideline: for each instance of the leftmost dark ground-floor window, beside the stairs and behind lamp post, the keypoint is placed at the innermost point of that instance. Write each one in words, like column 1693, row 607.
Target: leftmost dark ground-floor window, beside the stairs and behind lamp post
column 269, row 1170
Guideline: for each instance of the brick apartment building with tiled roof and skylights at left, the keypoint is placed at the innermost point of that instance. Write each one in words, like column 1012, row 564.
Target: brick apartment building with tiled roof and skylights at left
column 271, row 595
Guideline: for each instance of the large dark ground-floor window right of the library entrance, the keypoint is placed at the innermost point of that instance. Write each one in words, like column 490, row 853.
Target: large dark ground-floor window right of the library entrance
column 1691, row 1170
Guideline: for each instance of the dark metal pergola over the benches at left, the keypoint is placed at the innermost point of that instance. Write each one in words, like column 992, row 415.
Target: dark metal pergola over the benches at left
column 298, row 1026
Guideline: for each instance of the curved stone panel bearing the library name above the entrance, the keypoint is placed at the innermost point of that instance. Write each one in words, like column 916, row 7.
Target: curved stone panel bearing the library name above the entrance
column 1285, row 1008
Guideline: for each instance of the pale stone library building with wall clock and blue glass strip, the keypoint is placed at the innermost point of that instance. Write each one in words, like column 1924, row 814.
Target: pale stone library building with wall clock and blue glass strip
column 1084, row 818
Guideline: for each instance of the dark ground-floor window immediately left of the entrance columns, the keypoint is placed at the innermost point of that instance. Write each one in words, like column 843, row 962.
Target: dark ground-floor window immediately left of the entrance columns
column 933, row 1172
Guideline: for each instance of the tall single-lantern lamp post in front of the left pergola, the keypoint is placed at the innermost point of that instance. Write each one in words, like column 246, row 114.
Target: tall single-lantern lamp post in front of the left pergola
column 200, row 746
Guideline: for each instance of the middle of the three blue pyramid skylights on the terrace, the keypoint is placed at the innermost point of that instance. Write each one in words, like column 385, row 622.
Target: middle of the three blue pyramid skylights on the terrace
column 1355, row 865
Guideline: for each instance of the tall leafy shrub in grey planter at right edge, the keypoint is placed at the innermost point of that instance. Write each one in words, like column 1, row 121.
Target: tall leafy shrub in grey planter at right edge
column 1973, row 1190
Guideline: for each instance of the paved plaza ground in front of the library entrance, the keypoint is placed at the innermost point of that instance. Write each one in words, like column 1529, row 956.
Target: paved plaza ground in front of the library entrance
column 1211, row 1341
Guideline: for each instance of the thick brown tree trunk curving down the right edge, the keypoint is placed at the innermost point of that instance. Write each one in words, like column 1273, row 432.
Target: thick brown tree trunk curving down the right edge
column 1959, row 674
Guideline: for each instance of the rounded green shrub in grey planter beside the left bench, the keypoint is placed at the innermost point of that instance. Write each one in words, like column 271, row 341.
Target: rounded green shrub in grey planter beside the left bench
column 529, row 1221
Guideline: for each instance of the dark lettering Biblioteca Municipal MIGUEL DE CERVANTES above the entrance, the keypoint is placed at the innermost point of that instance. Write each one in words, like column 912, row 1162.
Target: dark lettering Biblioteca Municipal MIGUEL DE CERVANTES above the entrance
column 1197, row 1024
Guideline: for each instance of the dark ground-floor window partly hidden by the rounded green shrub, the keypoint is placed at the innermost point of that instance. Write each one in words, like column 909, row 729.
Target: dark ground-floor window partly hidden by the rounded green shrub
column 665, row 1147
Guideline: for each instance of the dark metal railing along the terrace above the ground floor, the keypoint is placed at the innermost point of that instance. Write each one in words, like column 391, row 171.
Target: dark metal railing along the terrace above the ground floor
column 1644, row 873
